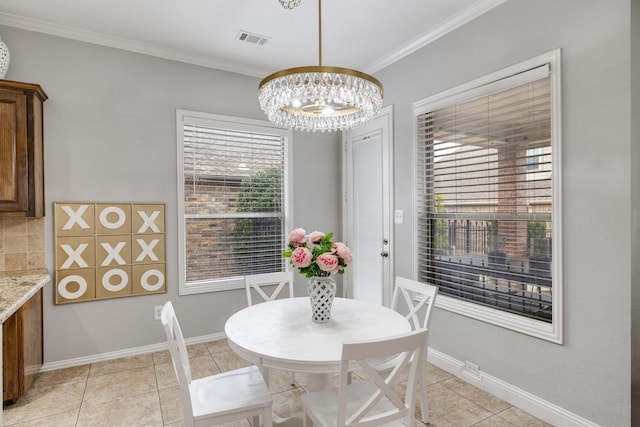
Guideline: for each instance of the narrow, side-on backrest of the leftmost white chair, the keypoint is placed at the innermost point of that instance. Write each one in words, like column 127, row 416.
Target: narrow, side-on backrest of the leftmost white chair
column 179, row 355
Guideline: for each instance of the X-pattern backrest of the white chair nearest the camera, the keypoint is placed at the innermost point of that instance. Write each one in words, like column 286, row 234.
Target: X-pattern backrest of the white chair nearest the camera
column 408, row 352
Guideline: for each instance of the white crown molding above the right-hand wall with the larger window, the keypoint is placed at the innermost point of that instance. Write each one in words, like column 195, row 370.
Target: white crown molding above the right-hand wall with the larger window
column 478, row 8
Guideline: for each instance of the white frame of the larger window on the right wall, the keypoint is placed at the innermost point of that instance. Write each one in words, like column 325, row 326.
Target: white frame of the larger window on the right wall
column 553, row 331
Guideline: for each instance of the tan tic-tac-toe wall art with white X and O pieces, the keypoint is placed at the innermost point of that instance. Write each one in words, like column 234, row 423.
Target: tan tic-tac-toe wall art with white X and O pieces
column 108, row 250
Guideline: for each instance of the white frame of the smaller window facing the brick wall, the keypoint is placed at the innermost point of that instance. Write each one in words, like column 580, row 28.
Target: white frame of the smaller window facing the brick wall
column 232, row 123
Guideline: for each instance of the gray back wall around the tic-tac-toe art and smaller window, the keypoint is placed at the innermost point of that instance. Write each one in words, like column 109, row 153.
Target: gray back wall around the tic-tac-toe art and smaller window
column 110, row 135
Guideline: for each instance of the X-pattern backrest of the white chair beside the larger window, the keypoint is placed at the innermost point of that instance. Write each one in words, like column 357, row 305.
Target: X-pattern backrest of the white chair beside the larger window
column 426, row 296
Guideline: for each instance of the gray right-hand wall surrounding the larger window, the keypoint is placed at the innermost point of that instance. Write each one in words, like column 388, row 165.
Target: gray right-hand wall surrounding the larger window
column 589, row 374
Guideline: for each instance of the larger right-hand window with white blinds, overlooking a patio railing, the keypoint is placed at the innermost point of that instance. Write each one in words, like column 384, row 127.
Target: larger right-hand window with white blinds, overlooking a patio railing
column 485, row 196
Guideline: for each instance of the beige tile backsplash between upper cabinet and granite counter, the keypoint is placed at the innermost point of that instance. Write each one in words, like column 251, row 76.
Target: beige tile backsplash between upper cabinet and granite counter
column 21, row 244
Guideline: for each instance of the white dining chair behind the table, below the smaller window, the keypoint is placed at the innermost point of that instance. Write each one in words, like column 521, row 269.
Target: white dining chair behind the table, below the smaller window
column 268, row 287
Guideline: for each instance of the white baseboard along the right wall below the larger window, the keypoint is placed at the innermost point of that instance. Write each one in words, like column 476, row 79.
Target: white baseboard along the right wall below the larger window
column 532, row 404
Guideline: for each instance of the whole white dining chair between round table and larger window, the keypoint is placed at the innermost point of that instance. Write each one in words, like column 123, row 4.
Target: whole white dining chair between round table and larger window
column 409, row 299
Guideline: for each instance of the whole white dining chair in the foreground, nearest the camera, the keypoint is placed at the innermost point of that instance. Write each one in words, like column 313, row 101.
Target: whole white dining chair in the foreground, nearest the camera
column 376, row 400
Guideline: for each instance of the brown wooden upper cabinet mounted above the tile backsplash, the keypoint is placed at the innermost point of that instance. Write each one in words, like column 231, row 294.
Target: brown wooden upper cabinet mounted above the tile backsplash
column 21, row 149
